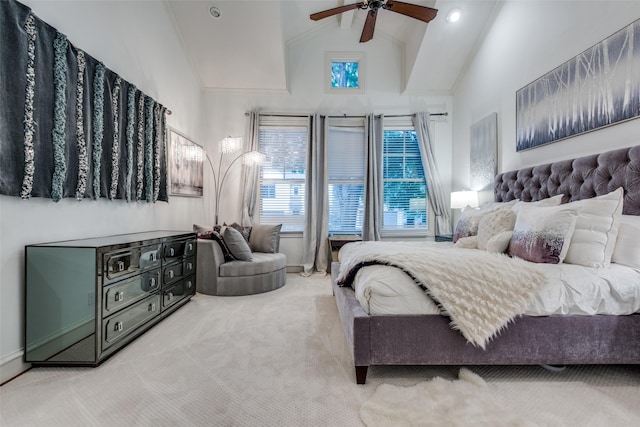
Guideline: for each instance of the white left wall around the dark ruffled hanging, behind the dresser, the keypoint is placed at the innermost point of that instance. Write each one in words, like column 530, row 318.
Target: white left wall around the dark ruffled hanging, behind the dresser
column 135, row 40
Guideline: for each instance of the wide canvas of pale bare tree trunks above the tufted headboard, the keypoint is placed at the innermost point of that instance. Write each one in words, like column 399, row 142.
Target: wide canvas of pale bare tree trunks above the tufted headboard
column 599, row 87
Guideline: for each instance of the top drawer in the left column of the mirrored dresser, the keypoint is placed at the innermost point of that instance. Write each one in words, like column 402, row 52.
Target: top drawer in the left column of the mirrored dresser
column 131, row 261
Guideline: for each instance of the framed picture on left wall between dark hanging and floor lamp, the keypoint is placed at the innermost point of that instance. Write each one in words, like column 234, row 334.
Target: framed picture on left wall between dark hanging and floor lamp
column 186, row 163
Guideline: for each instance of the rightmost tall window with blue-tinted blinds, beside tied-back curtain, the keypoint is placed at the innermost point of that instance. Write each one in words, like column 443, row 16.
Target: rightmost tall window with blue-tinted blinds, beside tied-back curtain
column 405, row 188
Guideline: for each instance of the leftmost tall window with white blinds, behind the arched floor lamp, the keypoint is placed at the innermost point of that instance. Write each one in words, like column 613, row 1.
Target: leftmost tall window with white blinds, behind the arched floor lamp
column 284, row 141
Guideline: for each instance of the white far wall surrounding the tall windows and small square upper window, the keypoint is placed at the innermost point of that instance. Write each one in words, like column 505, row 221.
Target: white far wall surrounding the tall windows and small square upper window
column 384, row 82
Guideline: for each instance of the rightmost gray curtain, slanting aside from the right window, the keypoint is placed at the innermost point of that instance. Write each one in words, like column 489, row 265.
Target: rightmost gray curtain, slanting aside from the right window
column 436, row 195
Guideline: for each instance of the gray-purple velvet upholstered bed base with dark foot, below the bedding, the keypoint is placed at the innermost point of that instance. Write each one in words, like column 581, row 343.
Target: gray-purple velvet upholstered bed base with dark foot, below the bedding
column 429, row 340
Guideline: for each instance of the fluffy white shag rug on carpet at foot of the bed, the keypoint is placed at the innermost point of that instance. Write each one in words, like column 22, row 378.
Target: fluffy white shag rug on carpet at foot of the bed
column 470, row 401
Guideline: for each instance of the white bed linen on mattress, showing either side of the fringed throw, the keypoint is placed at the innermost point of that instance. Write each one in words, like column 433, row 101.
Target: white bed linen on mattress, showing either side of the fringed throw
column 570, row 289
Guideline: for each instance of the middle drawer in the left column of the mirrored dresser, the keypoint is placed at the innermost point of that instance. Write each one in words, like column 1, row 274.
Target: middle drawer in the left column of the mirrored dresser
column 124, row 293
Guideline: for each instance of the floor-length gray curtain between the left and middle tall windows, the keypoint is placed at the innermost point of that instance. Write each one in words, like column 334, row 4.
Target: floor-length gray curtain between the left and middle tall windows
column 315, row 251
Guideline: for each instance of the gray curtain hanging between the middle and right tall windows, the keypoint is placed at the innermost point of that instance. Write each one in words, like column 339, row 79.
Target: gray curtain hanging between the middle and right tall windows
column 373, row 185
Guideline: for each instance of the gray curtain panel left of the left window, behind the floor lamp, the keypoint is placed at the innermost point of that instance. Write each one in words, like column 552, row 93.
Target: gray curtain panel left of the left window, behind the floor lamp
column 251, row 173
